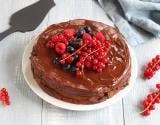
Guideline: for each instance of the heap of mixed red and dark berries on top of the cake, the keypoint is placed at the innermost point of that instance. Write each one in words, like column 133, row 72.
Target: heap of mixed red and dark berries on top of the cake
column 78, row 50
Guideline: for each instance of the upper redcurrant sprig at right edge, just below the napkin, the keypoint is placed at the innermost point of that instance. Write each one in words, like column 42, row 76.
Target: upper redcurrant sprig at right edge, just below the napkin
column 152, row 67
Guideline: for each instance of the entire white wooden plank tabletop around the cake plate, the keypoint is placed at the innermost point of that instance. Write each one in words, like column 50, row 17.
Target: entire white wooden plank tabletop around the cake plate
column 28, row 109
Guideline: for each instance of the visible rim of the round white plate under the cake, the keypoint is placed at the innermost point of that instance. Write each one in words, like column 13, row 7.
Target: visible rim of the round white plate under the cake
column 26, row 69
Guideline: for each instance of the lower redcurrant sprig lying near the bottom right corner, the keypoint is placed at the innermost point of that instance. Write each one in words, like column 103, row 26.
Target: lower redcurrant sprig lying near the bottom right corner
column 152, row 99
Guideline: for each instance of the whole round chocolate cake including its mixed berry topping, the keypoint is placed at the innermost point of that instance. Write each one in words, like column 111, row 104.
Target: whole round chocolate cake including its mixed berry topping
column 88, row 84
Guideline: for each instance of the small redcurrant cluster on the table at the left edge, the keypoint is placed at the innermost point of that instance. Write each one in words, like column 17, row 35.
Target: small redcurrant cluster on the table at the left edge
column 4, row 97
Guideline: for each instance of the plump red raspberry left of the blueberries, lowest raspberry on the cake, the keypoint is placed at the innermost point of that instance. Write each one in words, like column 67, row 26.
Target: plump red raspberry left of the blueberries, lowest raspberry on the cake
column 60, row 48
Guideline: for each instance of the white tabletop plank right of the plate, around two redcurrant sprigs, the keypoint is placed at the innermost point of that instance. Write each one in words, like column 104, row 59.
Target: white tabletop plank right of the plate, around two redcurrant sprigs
column 142, row 87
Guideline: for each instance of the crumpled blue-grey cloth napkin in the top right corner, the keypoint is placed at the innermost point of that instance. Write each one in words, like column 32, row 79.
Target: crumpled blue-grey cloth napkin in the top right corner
column 137, row 20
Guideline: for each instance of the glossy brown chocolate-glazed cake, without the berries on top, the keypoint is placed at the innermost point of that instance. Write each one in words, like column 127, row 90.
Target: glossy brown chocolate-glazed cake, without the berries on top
column 95, row 87
